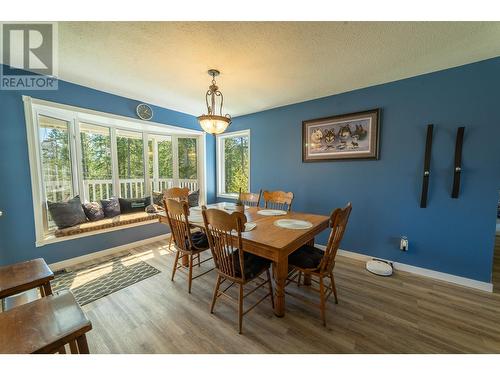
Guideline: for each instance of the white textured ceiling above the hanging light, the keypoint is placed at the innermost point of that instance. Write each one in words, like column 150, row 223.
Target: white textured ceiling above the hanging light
column 263, row 64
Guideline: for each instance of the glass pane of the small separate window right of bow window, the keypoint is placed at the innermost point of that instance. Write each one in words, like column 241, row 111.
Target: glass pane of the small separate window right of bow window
column 236, row 164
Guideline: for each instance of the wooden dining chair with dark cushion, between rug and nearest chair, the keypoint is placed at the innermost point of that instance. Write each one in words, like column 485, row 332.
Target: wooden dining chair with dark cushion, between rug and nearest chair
column 186, row 243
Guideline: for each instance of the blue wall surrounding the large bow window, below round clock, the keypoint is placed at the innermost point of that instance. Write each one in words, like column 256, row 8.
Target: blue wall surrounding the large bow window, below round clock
column 17, row 228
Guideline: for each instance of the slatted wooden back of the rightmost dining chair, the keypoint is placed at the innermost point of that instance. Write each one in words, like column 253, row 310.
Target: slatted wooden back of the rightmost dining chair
column 338, row 223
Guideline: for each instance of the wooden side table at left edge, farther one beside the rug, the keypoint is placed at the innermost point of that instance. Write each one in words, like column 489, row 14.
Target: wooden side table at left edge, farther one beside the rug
column 20, row 277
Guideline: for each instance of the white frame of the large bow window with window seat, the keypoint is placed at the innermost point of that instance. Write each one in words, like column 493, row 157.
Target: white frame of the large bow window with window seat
column 76, row 115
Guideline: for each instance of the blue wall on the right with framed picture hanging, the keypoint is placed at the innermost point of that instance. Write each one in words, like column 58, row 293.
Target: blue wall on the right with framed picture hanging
column 451, row 235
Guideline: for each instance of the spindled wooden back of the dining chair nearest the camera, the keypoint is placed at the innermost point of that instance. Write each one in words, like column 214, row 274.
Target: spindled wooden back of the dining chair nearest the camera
column 218, row 226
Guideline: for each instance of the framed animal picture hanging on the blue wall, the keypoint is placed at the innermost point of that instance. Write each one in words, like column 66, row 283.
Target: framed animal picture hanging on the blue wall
column 342, row 137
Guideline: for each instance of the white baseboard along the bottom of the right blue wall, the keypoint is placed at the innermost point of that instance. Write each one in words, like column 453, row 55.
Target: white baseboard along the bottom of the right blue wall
column 471, row 283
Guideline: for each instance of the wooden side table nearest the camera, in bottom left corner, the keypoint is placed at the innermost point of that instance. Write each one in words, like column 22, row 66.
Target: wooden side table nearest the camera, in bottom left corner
column 45, row 326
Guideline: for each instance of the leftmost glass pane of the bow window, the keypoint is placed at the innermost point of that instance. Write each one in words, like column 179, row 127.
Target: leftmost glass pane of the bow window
column 56, row 161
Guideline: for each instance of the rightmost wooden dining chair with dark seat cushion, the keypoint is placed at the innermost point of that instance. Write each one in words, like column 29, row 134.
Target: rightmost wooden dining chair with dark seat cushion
column 313, row 262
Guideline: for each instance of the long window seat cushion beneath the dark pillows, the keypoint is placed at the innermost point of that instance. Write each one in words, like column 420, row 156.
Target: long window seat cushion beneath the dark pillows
column 110, row 222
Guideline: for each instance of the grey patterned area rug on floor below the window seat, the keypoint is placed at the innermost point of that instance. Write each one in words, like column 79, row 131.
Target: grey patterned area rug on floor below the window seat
column 101, row 279
